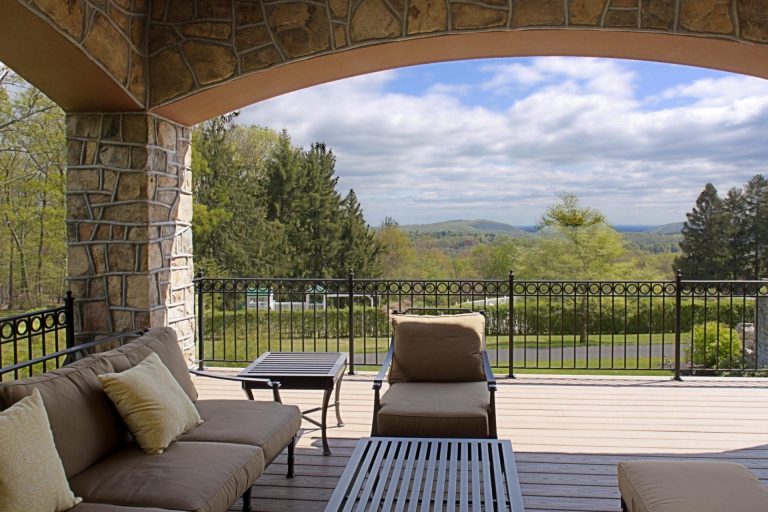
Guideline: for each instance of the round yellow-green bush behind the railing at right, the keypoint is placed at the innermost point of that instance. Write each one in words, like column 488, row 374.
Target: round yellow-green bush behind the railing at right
column 716, row 345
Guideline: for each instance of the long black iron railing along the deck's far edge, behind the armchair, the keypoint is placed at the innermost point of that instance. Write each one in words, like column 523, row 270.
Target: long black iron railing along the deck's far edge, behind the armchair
column 648, row 326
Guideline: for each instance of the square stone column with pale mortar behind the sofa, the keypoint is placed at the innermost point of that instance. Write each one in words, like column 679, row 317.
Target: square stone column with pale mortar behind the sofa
column 129, row 232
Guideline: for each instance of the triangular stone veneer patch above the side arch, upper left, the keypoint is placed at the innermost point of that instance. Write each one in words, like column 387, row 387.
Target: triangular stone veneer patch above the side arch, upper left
column 111, row 32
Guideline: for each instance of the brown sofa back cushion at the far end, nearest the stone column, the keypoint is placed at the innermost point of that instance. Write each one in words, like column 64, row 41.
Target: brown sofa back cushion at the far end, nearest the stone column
column 163, row 342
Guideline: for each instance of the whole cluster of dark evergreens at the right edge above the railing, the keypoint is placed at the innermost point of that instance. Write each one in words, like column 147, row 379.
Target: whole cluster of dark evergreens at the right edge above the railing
column 727, row 237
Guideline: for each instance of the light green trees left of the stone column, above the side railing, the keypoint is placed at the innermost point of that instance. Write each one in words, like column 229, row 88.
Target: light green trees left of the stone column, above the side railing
column 32, row 195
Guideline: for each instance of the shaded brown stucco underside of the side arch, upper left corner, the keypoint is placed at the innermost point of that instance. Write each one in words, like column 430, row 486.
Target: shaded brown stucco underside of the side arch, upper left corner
column 53, row 64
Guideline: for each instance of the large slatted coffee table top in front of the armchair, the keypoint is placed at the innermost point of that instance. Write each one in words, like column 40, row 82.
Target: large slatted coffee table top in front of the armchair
column 420, row 474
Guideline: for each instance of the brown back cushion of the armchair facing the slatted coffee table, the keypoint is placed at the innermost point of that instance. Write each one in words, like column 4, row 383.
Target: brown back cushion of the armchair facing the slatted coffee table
column 437, row 348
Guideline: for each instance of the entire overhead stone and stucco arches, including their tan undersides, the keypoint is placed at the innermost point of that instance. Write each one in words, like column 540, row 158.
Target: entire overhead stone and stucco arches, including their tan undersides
column 192, row 60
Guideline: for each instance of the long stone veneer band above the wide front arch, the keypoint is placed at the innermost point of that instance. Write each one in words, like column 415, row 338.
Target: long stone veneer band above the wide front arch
column 195, row 44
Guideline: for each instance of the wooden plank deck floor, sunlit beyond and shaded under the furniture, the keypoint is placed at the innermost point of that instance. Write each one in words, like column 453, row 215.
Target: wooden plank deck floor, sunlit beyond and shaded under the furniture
column 568, row 433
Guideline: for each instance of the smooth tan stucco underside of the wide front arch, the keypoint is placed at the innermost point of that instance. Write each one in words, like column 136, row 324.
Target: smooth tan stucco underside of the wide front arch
column 677, row 49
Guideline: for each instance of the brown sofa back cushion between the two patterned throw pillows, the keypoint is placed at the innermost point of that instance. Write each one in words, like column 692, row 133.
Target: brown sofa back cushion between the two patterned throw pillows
column 85, row 424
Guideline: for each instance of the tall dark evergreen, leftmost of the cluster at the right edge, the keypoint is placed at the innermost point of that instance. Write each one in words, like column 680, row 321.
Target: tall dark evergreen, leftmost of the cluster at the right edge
column 706, row 240
